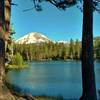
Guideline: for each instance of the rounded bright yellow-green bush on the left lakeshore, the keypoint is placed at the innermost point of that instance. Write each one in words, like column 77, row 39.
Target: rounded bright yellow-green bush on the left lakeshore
column 17, row 59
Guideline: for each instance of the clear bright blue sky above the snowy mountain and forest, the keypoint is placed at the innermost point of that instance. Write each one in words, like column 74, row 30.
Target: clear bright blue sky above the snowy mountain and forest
column 55, row 24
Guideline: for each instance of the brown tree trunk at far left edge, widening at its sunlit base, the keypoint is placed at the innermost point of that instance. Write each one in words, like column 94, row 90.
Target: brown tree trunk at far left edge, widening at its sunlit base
column 4, row 91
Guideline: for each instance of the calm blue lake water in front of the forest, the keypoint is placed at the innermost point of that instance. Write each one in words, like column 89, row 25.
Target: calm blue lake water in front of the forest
column 51, row 78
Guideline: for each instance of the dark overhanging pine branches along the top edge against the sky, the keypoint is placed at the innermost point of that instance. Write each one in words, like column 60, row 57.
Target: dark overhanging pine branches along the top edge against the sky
column 64, row 4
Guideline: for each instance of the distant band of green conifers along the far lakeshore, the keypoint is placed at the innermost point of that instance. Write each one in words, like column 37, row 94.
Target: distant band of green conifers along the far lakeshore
column 54, row 51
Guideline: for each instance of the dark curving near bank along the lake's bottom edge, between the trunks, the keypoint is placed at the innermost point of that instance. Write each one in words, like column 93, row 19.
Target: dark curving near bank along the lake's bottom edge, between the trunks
column 29, row 96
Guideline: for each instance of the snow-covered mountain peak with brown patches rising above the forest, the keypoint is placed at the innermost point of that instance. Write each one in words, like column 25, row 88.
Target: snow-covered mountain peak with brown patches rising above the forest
column 33, row 37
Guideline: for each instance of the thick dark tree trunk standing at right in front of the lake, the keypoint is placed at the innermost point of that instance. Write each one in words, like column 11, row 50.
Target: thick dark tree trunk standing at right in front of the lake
column 88, row 74
